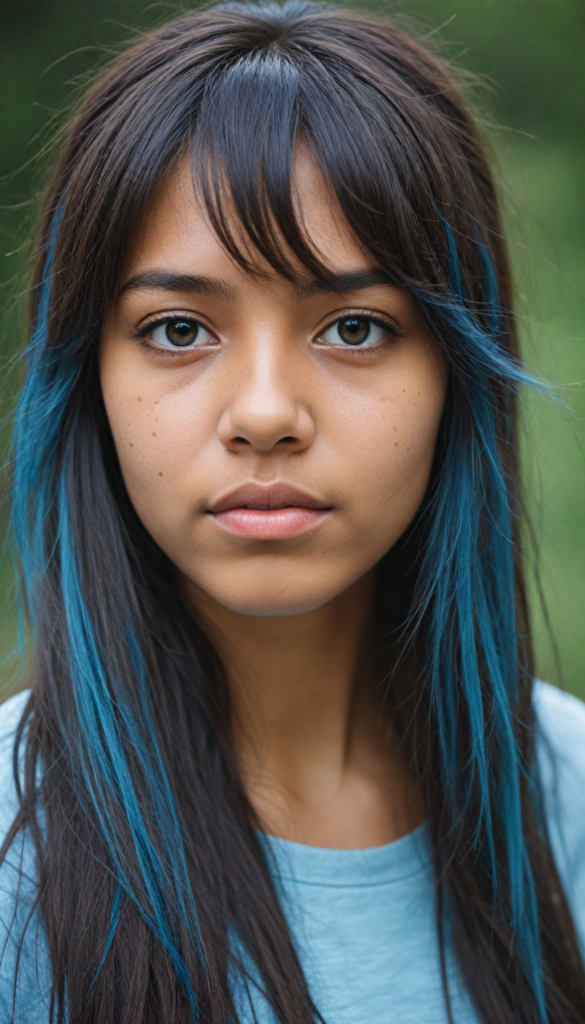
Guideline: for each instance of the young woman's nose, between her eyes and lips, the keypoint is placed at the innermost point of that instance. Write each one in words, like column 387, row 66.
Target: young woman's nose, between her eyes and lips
column 268, row 409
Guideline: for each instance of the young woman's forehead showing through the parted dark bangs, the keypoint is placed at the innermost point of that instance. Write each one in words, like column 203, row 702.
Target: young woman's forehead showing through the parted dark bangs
column 177, row 228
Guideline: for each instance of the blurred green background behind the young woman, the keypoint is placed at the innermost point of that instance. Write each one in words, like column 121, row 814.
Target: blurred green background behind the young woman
column 529, row 55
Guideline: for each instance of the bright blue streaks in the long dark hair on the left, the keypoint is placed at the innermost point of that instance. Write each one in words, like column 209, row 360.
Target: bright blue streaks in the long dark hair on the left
column 107, row 727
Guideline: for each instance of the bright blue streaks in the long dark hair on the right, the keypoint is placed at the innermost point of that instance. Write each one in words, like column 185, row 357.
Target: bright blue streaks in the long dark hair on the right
column 466, row 598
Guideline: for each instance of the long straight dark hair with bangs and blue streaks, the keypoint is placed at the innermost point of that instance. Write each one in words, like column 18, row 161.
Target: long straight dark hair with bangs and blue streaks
column 154, row 888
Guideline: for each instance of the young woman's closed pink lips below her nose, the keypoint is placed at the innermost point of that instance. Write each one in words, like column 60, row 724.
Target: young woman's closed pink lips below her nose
column 275, row 511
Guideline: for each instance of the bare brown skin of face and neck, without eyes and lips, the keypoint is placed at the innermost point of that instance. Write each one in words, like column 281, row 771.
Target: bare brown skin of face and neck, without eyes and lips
column 269, row 398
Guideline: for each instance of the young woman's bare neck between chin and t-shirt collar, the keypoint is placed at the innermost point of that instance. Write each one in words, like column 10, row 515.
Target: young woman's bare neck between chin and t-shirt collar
column 318, row 756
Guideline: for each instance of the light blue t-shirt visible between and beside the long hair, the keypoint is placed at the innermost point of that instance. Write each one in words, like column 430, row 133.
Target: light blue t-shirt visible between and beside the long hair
column 363, row 921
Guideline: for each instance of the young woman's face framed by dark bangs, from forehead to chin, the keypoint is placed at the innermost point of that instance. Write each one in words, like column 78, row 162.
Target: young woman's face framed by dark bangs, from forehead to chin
column 276, row 440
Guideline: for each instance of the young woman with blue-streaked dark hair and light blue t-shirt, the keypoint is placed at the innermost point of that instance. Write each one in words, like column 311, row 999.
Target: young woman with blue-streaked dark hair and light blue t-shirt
column 282, row 758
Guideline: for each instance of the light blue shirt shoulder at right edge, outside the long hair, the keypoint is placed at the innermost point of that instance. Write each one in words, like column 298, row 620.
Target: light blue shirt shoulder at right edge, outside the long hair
column 561, row 752
